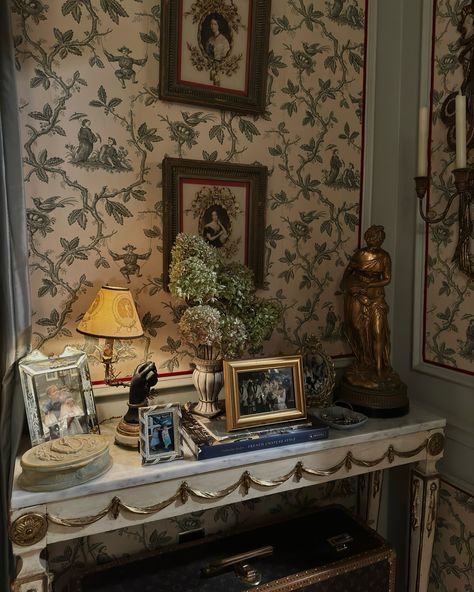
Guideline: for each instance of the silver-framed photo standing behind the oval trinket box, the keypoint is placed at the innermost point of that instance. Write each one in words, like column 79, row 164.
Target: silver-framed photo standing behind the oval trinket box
column 58, row 395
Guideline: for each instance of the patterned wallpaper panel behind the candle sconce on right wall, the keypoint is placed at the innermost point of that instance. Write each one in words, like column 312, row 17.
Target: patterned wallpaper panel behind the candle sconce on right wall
column 449, row 299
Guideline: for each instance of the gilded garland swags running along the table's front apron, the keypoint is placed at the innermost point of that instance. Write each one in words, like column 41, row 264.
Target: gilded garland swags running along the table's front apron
column 245, row 482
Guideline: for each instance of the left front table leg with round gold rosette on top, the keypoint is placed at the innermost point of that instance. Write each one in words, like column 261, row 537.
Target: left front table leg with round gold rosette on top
column 28, row 536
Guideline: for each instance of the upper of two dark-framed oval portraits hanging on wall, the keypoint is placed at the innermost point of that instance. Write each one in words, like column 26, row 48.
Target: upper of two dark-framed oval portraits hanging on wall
column 215, row 53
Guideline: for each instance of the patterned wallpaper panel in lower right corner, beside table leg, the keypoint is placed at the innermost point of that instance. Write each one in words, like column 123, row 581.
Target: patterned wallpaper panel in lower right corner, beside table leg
column 452, row 566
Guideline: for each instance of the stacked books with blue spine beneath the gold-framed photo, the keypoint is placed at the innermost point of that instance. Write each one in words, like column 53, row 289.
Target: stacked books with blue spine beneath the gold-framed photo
column 208, row 438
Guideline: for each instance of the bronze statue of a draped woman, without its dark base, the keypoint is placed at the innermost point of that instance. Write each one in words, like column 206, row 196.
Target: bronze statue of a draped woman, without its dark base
column 366, row 312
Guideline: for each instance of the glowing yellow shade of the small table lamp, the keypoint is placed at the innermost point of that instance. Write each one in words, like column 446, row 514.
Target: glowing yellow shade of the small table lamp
column 112, row 315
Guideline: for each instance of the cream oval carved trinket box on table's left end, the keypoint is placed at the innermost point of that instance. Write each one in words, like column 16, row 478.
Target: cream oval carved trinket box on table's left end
column 64, row 462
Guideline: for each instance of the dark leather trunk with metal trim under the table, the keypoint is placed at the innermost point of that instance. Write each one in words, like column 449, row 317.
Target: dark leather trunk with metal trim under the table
column 326, row 551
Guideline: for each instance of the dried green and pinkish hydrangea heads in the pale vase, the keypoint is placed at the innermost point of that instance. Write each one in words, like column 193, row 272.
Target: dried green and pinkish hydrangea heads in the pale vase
column 222, row 316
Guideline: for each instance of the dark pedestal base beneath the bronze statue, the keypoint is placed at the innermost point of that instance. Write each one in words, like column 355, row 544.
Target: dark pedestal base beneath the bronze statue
column 375, row 402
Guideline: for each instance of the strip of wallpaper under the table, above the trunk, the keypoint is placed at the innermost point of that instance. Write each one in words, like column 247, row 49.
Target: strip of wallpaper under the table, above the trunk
column 69, row 560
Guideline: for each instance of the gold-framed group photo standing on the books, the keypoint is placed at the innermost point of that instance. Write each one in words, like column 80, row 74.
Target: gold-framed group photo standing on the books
column 263, row 391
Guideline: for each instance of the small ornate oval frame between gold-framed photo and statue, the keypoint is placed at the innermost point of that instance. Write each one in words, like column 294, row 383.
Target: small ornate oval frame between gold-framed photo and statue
column 319, row 374
